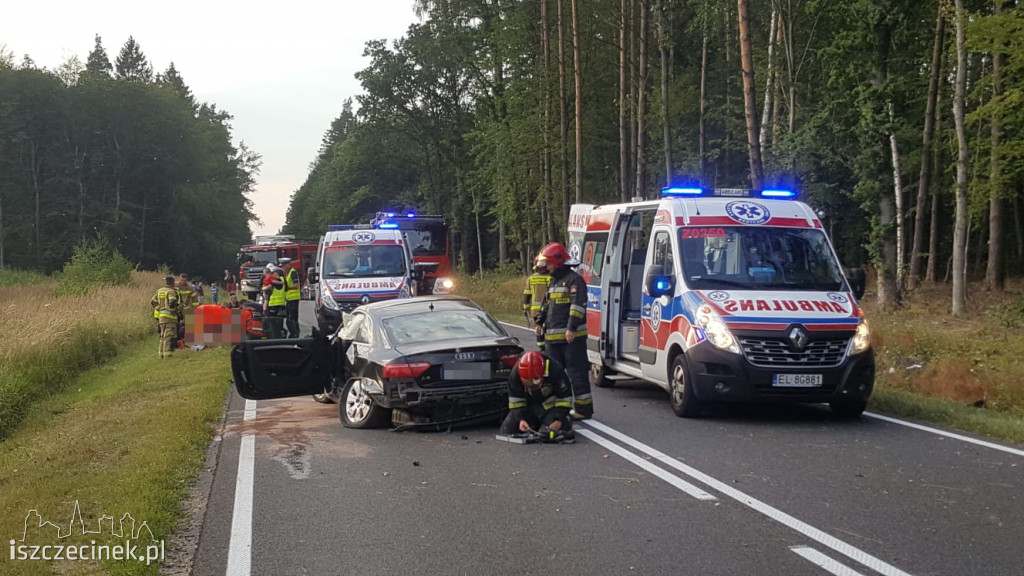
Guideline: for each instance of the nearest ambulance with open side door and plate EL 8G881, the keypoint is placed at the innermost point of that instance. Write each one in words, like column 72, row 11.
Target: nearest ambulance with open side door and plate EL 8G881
column 723, row 296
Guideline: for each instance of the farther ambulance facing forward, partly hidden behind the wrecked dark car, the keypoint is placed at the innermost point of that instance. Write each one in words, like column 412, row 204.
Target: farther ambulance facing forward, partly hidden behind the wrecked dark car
column 358, row 265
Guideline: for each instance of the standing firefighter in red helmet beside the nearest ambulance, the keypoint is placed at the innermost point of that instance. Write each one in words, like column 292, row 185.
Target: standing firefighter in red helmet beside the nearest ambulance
column 563, row 322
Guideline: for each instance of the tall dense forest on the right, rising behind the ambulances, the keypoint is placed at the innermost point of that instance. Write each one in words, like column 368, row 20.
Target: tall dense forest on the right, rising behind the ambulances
column 900, row 120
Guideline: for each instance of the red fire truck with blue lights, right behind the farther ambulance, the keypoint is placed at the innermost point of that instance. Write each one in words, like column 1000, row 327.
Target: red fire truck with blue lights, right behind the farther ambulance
column 431, row 240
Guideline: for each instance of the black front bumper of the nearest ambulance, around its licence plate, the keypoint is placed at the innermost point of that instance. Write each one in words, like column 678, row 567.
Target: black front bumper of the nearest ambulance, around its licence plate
column 722, row 377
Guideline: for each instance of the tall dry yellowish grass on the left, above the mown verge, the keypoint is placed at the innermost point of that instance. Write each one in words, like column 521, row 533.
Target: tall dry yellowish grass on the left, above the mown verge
column 47, row 341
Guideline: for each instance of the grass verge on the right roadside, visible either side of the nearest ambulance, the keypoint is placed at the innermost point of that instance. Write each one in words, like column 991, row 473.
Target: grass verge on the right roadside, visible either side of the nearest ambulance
column 966, row 374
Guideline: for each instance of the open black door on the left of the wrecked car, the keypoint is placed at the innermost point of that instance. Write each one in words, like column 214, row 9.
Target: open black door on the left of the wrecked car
column 281, row 368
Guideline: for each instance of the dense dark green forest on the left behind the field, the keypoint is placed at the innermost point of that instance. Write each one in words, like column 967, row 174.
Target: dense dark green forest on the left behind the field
column 115, row 152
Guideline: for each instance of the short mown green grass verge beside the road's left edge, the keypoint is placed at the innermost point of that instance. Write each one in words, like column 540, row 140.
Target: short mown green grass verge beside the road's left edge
column 126, row 437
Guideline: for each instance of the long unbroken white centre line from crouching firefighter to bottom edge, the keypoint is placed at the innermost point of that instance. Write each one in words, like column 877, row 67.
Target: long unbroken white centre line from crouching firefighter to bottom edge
column 777, row 515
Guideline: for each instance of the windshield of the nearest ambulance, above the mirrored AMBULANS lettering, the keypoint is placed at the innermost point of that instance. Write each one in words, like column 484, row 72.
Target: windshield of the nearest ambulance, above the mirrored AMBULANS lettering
column 758, row 258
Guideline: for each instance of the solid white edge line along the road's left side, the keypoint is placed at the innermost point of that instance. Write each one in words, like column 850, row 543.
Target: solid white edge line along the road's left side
column 240, row 549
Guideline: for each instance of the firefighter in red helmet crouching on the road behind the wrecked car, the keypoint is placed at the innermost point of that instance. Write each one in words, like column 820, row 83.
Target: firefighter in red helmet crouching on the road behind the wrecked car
column 540, row 399
